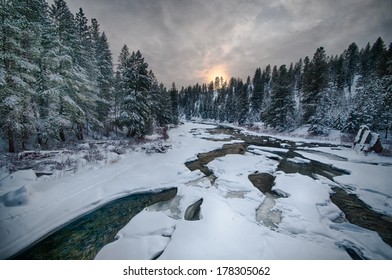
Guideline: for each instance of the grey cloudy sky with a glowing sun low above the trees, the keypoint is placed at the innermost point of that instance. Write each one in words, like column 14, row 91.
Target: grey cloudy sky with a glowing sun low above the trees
column 186, row 40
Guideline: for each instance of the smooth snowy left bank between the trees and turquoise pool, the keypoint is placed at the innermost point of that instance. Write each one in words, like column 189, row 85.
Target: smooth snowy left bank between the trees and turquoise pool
column 55, row 202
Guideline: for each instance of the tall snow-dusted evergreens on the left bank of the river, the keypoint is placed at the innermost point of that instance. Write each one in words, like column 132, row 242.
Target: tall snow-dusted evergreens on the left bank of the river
column 57, row 80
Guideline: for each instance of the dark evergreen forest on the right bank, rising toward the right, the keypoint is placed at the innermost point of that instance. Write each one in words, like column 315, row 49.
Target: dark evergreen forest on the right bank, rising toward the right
column 341, row 92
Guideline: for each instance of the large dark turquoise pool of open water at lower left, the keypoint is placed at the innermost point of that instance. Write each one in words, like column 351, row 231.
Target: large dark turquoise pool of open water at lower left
column 86, row 235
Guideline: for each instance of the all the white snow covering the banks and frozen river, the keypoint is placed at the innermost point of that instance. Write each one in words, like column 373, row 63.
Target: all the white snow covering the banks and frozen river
column 231, row 224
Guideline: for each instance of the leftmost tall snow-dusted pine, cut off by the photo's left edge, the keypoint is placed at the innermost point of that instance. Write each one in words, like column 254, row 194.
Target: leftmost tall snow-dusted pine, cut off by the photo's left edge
column 19, row 53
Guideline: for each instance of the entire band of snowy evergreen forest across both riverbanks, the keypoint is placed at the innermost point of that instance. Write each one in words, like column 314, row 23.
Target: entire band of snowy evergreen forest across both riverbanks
column 58, row 84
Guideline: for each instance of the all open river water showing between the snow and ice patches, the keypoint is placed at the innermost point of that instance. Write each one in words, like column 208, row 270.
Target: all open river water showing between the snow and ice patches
column 86, row 235
